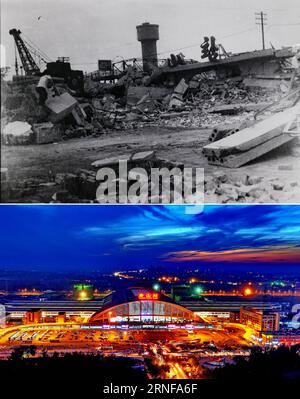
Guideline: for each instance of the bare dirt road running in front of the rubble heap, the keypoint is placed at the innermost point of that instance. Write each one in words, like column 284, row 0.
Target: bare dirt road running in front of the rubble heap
column 44, row 161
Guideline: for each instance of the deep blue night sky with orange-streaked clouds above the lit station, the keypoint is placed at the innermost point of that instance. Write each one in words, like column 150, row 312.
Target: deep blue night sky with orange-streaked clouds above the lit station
column 118, row 237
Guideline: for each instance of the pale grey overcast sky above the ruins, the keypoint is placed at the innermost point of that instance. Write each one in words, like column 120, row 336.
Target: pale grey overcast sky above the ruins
column 87, row 30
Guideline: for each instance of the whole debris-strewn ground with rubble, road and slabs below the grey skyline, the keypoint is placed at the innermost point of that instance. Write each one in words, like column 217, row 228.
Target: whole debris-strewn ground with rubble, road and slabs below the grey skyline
column 233, row 126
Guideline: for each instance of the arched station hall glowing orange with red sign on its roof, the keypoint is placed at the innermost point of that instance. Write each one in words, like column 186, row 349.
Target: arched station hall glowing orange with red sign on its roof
column 138, row 305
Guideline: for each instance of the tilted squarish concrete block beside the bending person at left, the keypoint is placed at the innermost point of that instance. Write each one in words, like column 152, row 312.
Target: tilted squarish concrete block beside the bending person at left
column 60, row 106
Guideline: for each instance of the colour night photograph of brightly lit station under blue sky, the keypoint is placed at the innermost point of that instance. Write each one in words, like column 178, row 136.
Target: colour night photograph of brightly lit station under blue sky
column 151, row 292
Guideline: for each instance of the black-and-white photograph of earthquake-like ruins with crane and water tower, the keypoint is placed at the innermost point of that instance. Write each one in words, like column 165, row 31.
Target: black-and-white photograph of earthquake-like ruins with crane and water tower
column 128, row 101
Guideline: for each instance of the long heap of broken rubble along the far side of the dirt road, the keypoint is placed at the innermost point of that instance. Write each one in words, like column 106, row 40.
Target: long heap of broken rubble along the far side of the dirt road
column 131, row 104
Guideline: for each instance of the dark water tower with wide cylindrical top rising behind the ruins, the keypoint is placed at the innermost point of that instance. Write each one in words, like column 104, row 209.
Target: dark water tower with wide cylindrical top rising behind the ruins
column 148, row 34
